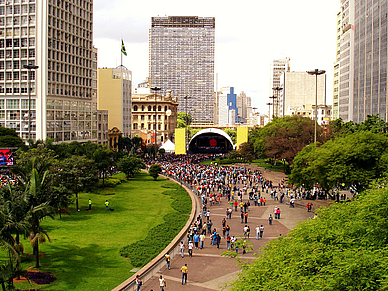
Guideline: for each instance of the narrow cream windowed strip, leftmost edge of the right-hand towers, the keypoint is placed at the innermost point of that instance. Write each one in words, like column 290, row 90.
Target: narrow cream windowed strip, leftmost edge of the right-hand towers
column 336, row 78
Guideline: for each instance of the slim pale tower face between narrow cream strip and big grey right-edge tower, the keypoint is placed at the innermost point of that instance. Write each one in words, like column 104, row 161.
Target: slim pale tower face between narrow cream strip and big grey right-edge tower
column 346, row 69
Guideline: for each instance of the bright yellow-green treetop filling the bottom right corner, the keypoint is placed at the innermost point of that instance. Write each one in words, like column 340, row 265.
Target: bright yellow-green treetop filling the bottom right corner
column 344, row 248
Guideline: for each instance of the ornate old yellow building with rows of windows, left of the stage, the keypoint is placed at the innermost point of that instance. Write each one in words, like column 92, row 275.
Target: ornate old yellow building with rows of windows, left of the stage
column 148, row 107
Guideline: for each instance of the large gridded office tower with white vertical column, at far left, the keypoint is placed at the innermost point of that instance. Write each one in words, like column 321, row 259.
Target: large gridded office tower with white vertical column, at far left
column 47, row 46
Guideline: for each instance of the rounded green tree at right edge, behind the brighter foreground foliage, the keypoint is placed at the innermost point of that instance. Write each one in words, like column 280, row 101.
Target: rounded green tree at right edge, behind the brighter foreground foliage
column 354, row 159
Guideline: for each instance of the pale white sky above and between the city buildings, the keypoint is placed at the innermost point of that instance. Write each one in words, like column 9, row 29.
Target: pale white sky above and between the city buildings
column 250, row 34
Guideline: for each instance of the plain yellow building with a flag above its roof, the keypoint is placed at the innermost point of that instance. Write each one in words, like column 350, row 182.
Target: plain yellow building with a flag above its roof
column 114, row 86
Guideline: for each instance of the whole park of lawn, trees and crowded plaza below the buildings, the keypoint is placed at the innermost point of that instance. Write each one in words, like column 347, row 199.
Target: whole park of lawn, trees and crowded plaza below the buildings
column 339, row 245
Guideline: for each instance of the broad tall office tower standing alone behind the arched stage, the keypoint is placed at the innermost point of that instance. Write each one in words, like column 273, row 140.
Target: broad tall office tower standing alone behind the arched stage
column 182, row 60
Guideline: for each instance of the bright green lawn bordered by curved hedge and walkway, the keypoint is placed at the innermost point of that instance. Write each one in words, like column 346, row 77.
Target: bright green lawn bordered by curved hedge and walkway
column 84, row 251
